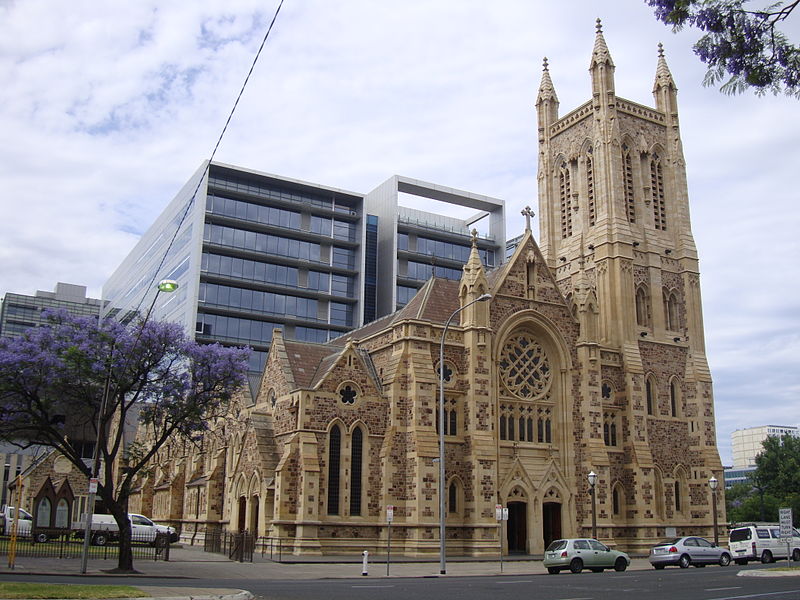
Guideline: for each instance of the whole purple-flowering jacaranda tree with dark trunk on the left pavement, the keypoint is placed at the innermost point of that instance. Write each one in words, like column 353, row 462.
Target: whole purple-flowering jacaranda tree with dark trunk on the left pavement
column 76, row 375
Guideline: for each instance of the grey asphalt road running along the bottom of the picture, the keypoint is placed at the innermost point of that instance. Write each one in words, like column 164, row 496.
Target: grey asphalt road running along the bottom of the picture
column 712, row 583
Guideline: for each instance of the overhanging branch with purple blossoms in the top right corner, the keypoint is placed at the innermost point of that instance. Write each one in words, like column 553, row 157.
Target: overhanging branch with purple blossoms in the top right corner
column 742, row 45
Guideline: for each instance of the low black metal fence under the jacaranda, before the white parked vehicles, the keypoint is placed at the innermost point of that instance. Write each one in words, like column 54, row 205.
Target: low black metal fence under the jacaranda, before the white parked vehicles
column 61, row 543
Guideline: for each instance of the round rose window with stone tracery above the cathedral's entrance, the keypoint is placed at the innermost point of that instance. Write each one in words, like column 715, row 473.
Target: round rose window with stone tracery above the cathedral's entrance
column 524, row 367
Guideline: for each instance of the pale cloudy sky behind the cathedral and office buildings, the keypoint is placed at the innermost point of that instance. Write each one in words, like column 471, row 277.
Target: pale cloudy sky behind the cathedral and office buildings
column 106, row 108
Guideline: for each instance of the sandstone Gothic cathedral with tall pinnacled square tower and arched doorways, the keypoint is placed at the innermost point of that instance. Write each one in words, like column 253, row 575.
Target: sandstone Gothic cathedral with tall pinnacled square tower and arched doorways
column 589, row 356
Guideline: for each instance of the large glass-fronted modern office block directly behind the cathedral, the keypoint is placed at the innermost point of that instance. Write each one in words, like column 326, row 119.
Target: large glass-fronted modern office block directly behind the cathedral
column 253, row 252
